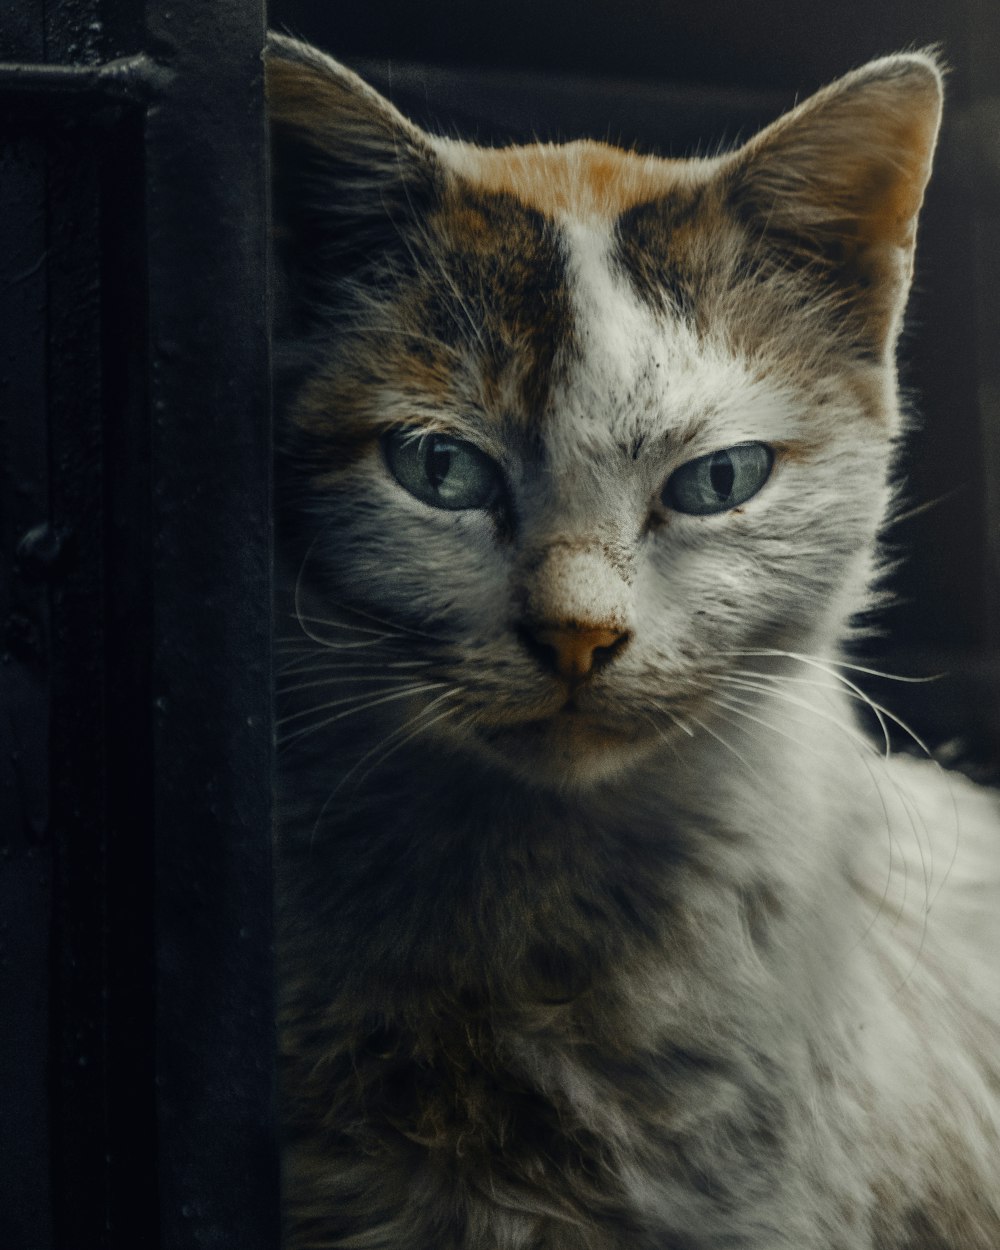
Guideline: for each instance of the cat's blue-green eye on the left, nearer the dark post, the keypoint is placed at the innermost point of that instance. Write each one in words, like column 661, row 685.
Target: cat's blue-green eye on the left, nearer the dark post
column 443, row 472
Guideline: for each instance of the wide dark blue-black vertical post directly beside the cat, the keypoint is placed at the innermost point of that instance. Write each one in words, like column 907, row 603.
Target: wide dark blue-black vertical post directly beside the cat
column 211, row 593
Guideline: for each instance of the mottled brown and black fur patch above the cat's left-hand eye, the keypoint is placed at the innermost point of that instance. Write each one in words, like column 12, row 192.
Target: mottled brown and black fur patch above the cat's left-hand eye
column 474, row 323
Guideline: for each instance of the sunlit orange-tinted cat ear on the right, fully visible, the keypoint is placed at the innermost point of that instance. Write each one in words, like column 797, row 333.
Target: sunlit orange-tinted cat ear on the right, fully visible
column 838, row 183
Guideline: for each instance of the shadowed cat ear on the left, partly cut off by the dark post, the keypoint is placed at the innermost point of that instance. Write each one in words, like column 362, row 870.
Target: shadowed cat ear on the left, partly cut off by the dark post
column 349, row 174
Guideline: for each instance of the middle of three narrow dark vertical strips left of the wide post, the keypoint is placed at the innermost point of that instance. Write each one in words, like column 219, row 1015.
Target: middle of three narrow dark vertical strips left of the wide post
column 79, row 733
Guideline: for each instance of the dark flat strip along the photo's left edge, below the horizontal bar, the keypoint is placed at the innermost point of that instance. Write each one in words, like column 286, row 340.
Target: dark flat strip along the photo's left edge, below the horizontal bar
column 26, row 544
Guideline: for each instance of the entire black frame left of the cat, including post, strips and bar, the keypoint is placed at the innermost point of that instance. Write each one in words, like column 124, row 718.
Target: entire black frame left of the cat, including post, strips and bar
column 137, row 1072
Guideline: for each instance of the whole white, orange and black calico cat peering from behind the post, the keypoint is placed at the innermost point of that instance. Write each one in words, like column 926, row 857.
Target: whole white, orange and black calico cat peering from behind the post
column 604, row 924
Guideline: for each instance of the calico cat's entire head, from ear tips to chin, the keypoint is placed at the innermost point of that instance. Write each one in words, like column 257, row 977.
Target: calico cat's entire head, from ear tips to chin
column 573, row 429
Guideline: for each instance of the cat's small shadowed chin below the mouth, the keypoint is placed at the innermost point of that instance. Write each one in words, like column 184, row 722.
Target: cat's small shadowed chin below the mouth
column 567, row 751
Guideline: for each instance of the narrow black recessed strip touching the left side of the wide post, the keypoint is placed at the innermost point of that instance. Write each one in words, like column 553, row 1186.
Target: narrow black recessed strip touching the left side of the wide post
column 128, row 648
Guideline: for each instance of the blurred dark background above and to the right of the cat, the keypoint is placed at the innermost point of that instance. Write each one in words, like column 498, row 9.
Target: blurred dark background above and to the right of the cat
column 678, row 78
